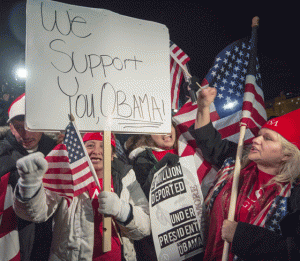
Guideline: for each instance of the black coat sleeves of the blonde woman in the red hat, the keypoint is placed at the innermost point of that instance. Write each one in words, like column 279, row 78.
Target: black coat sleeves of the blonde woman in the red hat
column 253, row 242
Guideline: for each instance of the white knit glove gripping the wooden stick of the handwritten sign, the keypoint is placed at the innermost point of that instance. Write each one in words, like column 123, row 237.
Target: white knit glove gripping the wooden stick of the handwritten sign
column 111, row 204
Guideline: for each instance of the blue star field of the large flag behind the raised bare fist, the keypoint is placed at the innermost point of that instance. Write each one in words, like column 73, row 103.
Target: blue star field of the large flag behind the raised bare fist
column 228, row 76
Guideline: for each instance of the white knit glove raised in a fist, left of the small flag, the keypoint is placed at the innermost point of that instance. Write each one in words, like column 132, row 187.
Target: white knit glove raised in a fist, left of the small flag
column 31, row 169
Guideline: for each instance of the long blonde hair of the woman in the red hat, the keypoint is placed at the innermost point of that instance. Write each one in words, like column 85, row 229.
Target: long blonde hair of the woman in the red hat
column 289, row 170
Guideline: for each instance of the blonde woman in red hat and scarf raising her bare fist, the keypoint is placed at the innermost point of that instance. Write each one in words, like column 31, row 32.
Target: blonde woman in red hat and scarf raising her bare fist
column 267, row 219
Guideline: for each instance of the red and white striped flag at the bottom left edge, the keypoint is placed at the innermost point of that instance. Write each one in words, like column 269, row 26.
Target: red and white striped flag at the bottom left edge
column 9, row 236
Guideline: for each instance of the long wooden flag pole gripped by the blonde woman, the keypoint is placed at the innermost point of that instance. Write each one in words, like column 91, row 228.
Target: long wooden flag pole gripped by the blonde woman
column 236, row 173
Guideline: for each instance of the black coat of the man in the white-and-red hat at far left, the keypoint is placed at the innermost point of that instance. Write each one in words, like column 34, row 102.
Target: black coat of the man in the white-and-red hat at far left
column 35, row 239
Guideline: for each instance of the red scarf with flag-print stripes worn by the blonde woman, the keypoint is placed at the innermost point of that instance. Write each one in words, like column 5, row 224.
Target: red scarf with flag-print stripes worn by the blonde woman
column 218, row 201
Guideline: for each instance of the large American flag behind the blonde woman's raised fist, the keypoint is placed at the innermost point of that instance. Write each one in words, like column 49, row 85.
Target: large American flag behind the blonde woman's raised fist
column 238, row 88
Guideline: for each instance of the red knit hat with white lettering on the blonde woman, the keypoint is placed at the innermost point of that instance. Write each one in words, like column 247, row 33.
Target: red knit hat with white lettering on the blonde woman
column 287, row 125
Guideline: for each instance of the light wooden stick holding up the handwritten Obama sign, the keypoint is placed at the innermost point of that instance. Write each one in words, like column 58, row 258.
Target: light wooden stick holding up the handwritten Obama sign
column 106, row 244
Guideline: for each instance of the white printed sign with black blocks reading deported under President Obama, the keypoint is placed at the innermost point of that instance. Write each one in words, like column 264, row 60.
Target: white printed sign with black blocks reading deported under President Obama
column 177, row 211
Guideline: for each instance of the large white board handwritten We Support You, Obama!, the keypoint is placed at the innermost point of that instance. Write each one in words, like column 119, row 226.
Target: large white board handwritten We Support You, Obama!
column 112, row 72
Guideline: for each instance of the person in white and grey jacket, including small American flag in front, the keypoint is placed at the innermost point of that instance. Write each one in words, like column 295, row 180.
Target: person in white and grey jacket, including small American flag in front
column 69, row 194
